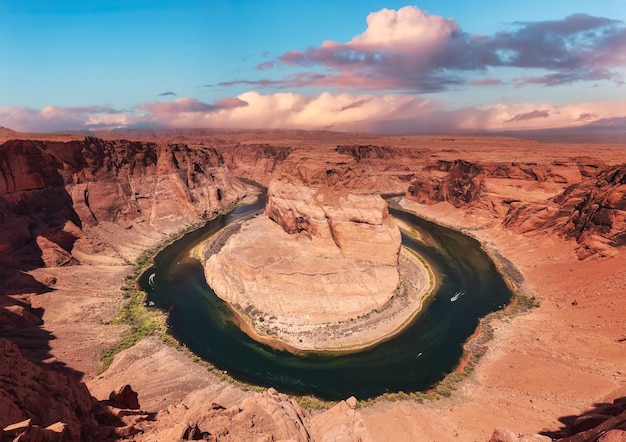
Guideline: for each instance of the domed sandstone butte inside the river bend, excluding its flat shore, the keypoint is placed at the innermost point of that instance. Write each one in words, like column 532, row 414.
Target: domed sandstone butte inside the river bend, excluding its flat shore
column 323, row 253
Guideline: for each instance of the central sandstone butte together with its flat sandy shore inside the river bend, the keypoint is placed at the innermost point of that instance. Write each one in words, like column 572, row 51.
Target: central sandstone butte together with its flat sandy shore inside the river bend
column 323, row 256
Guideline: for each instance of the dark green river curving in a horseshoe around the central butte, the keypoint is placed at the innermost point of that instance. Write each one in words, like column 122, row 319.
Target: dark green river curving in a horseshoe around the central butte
column 414, row 360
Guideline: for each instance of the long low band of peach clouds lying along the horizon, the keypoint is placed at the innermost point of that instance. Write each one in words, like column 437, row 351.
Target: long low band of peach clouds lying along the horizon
column 379, row 113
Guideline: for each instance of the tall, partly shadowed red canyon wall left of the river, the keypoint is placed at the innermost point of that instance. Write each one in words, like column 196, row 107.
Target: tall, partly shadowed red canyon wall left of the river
column 51, row 191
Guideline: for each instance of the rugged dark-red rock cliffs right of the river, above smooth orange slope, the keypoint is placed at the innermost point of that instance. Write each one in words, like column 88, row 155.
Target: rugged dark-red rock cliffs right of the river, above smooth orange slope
column 580, row 200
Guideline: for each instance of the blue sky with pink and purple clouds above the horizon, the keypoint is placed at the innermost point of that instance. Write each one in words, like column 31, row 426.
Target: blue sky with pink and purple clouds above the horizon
column 349, row 65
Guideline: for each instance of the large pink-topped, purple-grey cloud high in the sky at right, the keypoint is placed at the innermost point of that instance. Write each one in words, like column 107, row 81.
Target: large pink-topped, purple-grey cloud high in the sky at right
column 410, row 50
